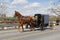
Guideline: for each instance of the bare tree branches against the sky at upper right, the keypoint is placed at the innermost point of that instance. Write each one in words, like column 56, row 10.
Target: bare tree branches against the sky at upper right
column 55, row 8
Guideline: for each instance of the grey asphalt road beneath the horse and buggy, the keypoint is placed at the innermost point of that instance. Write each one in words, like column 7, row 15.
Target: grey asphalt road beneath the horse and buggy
column 30, row 35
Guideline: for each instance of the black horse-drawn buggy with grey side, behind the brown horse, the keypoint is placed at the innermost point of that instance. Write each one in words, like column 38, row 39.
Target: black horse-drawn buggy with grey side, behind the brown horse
column 40, row 21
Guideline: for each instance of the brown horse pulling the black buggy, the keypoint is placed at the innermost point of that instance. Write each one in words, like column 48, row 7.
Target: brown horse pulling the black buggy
column 23, row 20
